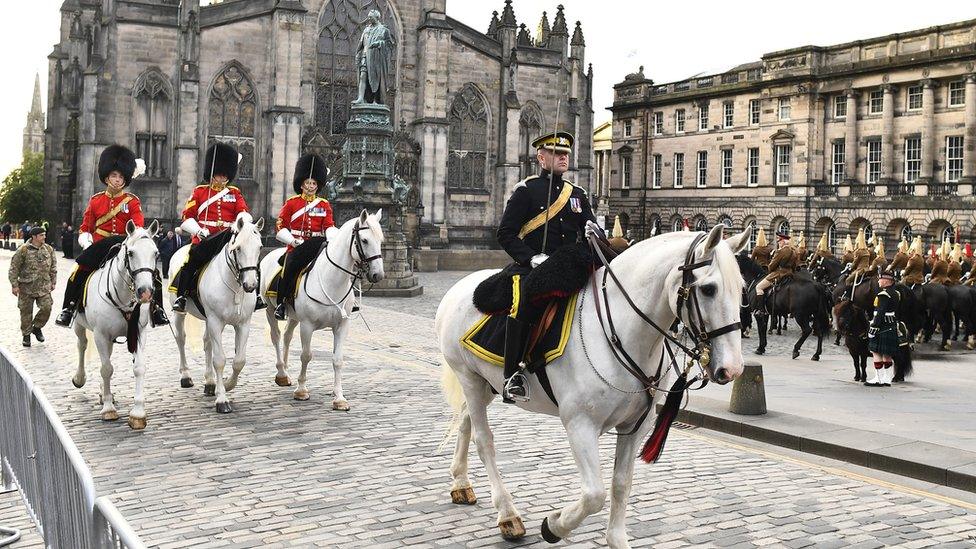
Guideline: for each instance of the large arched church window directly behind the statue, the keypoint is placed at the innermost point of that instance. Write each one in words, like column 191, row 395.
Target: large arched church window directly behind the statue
column 341, row 26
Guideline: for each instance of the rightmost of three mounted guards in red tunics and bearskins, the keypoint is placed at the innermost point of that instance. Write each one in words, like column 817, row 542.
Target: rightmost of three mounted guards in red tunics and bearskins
column 301, row 225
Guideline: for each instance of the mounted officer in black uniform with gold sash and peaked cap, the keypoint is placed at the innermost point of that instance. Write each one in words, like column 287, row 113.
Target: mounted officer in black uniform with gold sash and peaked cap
column 524, row 235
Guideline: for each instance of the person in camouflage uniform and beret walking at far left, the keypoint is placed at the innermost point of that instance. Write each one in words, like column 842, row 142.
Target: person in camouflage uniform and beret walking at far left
column 33, row 275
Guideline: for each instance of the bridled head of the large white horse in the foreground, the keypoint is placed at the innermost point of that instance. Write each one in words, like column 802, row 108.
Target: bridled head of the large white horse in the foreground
column 712, row 305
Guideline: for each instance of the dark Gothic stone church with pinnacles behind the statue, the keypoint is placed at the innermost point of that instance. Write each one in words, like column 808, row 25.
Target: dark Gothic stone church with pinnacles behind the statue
column 276, row 78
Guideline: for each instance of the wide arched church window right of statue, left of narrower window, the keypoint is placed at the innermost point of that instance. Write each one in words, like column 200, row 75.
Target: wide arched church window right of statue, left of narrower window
column 468, row 140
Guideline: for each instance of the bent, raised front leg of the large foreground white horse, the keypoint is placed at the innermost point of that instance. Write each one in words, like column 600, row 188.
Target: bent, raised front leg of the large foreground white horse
column 584, row 442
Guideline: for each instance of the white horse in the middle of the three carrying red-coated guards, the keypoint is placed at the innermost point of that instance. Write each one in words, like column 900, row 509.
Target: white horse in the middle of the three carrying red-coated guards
column 227, row 293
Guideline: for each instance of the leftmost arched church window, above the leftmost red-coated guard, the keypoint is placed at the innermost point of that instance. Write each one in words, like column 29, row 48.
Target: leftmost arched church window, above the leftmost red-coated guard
column 151, row 117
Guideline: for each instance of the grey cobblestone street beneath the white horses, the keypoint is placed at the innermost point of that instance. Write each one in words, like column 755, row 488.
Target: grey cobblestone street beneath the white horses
column 282, row 473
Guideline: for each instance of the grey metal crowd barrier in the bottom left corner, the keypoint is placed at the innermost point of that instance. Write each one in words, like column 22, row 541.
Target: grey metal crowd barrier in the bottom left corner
column 39, row 457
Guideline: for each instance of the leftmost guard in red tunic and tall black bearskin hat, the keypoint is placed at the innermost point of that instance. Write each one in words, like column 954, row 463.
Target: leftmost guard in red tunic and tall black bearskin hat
column 103, row 228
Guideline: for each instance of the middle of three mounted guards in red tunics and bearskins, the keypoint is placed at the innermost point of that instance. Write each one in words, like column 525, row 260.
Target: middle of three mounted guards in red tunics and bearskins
column 209, row 212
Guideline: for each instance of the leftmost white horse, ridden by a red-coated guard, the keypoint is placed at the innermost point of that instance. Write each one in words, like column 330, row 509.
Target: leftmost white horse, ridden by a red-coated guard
column 120, row 288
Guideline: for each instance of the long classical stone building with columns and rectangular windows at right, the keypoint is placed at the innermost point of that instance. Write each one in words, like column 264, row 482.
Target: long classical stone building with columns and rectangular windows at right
column 877, row 133
